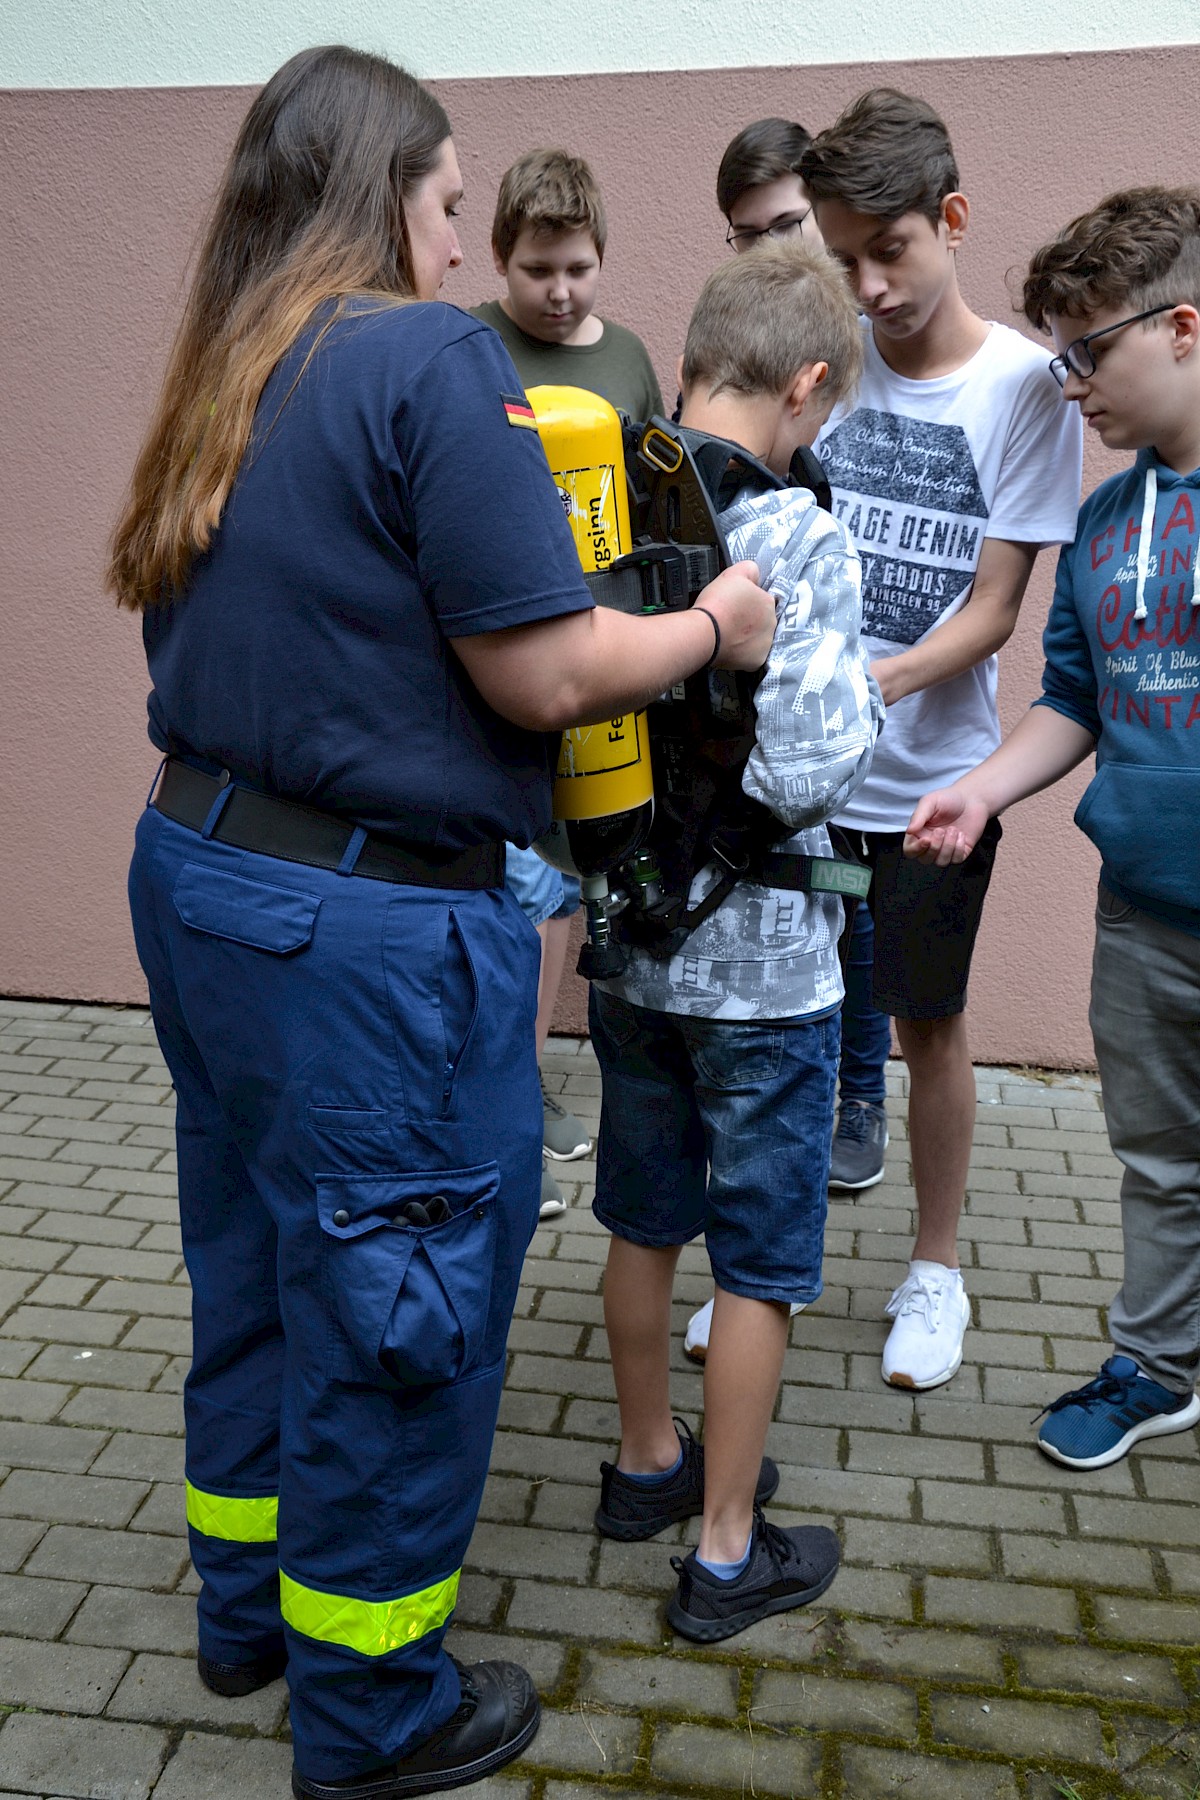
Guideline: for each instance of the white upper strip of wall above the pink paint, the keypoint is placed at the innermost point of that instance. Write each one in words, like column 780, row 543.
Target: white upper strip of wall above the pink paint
column 89, row 44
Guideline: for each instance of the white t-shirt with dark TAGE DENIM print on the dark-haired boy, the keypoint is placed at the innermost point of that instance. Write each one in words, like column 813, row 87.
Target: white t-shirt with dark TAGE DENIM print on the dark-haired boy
column 922, row 472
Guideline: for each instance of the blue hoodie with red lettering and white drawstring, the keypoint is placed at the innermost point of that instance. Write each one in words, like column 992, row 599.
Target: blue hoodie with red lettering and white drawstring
column 1124, row 660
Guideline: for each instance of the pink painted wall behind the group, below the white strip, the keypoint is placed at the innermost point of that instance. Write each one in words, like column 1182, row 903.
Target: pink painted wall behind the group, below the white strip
column 105, row 195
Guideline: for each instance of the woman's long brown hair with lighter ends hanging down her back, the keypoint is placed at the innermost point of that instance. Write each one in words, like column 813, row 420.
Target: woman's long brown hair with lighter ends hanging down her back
column 310, row 210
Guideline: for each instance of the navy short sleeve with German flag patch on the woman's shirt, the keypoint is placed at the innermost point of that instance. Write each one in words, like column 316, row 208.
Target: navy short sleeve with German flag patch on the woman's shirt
column 492, row 543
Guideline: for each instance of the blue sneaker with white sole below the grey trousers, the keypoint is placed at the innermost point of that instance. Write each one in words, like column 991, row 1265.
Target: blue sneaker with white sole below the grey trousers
column 1098, row 1425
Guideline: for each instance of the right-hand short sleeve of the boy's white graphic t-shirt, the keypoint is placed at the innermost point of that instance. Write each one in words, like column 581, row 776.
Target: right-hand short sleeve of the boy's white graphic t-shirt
column 1037, row 496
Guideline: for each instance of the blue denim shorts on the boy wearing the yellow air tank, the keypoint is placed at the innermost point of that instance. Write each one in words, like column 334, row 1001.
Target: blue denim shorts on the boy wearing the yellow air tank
column 719, row 1126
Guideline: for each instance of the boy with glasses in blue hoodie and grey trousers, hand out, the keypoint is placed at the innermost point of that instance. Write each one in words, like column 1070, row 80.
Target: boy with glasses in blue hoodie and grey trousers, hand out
column 1120, row 292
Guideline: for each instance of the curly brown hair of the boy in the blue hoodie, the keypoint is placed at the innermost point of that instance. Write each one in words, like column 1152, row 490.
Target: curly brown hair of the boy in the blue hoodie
column 1140, row 247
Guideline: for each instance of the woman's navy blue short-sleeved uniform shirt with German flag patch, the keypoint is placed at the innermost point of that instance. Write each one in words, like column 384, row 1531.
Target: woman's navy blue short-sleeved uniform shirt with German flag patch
column 386, row 505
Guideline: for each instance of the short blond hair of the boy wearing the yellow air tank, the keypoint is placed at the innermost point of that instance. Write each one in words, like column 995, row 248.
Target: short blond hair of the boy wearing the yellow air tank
column 764, row 318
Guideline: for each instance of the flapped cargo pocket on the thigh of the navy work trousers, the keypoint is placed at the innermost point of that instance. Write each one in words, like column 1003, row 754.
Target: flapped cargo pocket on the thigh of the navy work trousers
column 409, row 1272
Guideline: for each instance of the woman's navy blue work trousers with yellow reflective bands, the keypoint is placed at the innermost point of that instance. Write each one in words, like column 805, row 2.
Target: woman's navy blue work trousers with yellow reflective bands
column 359, row 1144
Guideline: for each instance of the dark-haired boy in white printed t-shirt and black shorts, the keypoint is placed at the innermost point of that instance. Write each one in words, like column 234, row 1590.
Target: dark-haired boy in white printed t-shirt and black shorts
column 953, row 469
